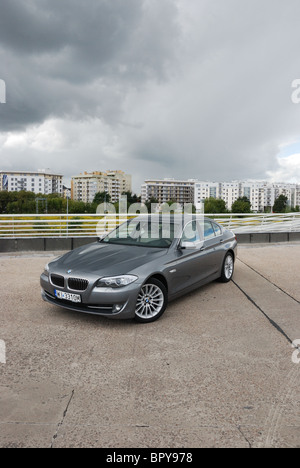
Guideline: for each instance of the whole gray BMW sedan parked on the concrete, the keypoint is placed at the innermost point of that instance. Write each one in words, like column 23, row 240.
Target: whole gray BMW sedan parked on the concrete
column 135, row 270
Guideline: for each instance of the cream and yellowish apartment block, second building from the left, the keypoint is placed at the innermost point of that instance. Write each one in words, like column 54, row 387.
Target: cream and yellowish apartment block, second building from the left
column 85, row 186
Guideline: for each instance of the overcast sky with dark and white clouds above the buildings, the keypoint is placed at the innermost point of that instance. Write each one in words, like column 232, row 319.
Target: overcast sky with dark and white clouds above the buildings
column 158, row 88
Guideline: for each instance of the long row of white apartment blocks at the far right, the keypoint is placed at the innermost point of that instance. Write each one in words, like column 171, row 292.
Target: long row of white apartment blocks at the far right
column 261, row 194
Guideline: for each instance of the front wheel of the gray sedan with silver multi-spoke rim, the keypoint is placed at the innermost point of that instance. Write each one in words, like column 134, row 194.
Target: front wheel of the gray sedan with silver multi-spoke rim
column 151, row 302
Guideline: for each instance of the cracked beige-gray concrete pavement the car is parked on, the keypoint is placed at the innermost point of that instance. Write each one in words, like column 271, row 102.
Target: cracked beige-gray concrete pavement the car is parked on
column 215, row 371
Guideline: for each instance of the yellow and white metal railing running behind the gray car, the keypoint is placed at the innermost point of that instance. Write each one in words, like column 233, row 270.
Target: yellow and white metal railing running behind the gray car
column 85, row 225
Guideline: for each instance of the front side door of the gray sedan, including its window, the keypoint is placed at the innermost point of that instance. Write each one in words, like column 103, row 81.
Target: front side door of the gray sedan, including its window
column 191, row 262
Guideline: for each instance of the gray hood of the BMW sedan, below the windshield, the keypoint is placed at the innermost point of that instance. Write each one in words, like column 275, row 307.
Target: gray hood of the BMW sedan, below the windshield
column 105, row 259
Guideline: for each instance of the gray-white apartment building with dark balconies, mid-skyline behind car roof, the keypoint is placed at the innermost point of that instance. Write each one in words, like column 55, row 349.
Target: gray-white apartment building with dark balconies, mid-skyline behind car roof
column 163, row 190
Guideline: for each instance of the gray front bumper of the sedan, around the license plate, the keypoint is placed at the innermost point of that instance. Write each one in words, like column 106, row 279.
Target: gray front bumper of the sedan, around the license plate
column 117, row 303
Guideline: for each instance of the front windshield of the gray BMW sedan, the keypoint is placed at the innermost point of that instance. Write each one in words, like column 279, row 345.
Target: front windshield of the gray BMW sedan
column 147, row 233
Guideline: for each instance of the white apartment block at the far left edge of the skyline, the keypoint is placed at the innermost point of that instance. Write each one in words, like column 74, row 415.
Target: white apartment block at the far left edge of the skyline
column 42, row 181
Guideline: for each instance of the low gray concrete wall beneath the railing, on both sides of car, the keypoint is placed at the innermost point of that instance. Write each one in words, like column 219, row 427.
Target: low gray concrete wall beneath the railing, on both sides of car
column 71, row 243
